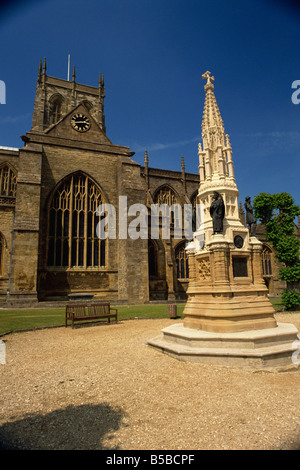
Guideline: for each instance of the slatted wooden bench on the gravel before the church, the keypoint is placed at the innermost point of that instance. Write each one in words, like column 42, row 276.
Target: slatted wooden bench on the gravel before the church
column 76, row 312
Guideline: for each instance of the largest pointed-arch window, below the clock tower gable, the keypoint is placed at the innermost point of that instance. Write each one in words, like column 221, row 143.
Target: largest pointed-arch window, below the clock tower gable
column 72, row 236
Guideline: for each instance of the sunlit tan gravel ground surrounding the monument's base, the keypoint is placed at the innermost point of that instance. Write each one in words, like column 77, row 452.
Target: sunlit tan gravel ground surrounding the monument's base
column 102, row 387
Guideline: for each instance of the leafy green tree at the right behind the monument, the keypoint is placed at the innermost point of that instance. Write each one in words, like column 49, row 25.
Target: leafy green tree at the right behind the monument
column 277, row 212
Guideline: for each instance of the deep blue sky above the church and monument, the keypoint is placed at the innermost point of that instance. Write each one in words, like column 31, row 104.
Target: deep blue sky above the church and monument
column 153, row 54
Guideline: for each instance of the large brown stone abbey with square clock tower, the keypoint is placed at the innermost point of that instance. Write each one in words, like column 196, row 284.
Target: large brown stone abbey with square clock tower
column 50, row 190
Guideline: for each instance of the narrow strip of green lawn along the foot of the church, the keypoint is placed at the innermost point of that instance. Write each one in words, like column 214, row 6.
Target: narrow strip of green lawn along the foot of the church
column 26, row 319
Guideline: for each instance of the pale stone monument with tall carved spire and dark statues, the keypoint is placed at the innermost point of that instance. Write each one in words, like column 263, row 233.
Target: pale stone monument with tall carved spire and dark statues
column 228, row 318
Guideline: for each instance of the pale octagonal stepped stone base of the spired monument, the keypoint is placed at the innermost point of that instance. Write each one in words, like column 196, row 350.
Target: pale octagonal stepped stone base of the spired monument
column 269, row 348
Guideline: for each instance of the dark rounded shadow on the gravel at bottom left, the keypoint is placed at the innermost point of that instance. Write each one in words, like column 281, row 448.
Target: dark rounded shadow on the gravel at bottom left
column 73, row 428
